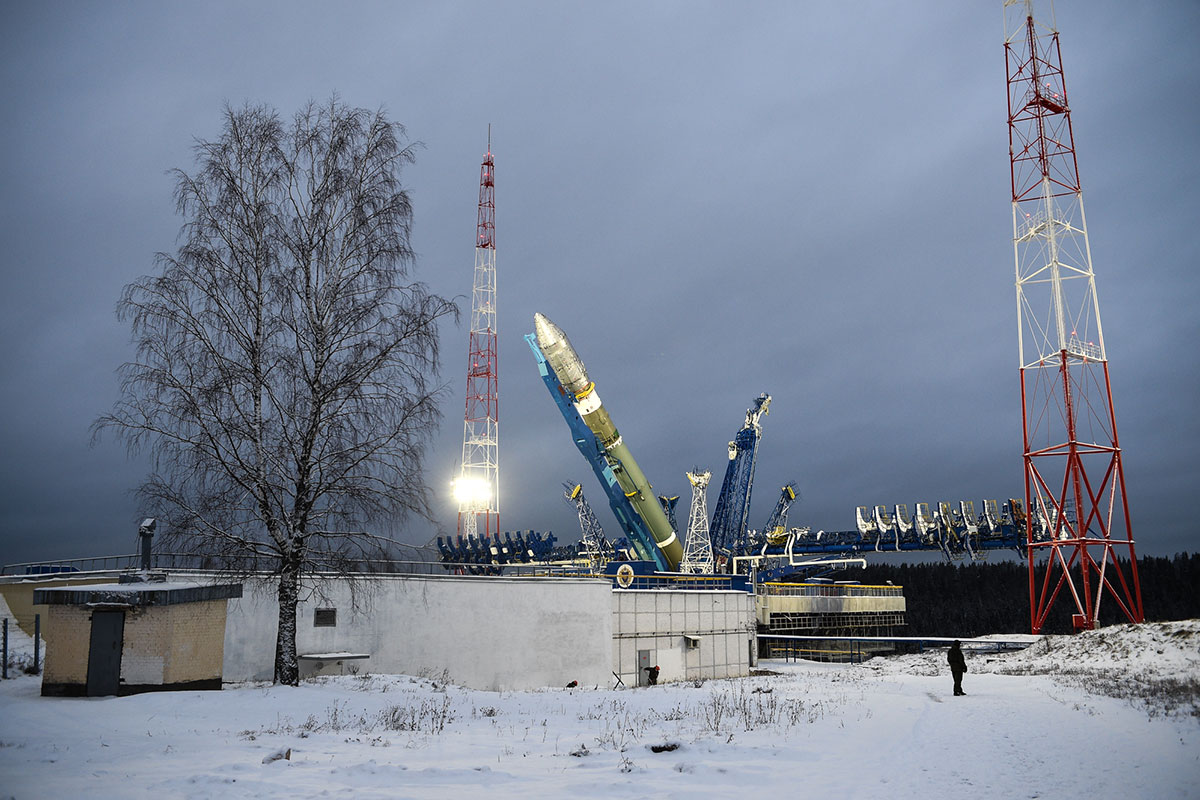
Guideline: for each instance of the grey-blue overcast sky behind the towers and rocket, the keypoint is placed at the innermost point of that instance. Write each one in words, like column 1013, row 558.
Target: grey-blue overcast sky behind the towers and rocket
column 712, row 200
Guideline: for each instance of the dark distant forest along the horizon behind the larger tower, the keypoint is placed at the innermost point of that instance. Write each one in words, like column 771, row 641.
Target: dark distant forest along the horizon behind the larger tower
column 974, row 599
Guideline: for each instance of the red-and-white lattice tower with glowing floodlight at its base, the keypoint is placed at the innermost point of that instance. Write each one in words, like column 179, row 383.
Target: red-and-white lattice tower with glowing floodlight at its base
column 477, row 489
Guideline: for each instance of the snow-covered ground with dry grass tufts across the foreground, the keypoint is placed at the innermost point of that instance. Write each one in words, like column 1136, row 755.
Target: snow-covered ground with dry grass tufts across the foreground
column 1029, row 727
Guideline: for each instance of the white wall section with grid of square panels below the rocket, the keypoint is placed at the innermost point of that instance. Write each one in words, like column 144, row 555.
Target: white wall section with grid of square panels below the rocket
column 722, row 625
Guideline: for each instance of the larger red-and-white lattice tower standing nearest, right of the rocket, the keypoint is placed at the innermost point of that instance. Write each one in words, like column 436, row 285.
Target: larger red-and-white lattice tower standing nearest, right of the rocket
column 1078, row 516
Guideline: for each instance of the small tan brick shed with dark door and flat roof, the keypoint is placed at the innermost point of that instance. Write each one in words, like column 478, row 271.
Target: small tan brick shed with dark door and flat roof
column 125, row 639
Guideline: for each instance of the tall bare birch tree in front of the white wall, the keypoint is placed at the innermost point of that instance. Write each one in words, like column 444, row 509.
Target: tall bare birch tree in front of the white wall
column 286, row 372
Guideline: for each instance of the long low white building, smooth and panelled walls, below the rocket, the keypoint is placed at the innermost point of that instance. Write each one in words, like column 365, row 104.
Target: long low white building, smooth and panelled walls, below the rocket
column 500, row 634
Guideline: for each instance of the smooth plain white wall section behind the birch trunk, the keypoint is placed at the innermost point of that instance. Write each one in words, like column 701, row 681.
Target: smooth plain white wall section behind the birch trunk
column 488, row 633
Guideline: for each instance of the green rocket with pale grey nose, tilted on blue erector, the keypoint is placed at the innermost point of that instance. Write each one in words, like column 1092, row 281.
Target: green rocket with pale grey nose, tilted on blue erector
column 573, row 378
